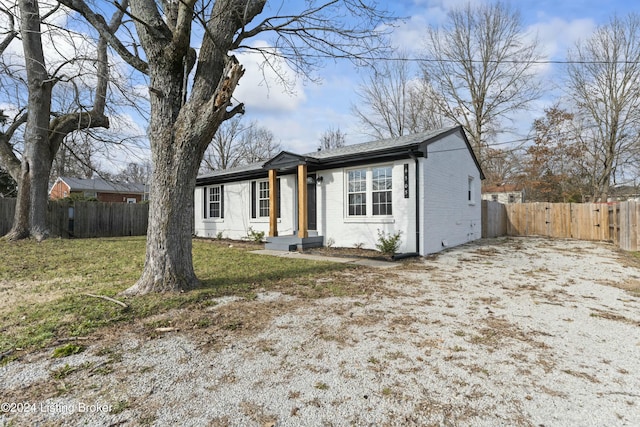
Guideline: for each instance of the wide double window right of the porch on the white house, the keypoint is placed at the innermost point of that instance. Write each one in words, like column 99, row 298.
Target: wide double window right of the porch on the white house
column 369, row 192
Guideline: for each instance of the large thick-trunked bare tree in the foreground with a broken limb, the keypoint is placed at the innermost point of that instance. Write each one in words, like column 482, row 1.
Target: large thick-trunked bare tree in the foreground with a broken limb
column 184, row 118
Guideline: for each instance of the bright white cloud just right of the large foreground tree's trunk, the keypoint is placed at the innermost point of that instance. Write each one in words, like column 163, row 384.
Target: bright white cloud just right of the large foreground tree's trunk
column 262, row 86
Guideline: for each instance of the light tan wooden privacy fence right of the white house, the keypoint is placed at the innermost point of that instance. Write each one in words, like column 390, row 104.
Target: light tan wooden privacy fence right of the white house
column 614, row 222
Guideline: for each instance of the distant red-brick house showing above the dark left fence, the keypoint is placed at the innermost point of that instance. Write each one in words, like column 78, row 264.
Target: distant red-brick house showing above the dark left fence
column 100, row 189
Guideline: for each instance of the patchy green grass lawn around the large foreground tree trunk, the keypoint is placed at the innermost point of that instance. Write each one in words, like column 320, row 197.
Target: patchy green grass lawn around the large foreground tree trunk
column 44, row 286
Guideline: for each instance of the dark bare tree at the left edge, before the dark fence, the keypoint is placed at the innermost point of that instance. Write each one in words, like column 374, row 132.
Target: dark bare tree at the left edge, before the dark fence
column 44, row 131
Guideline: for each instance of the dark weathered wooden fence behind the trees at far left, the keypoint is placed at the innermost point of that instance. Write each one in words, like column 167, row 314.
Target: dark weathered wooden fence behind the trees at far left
column 86, row 219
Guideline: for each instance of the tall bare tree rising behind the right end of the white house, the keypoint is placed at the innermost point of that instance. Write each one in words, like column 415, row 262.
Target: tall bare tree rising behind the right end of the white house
column 482, row 65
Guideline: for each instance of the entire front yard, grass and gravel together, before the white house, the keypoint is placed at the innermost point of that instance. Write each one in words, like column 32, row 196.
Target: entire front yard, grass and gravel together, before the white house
column 499, row 332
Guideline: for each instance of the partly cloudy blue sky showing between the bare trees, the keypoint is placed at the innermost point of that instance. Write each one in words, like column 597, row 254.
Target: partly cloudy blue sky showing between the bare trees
column 299, row 116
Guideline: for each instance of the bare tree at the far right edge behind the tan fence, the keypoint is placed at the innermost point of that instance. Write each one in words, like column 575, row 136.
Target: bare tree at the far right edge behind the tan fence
column 604, row 83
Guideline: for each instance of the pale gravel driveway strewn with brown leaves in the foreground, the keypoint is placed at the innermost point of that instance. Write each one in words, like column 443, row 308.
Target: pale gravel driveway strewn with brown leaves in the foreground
column 513, row 332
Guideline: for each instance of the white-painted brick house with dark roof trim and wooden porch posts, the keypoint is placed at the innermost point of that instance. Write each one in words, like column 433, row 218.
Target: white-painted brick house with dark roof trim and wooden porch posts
column 425, row 186
